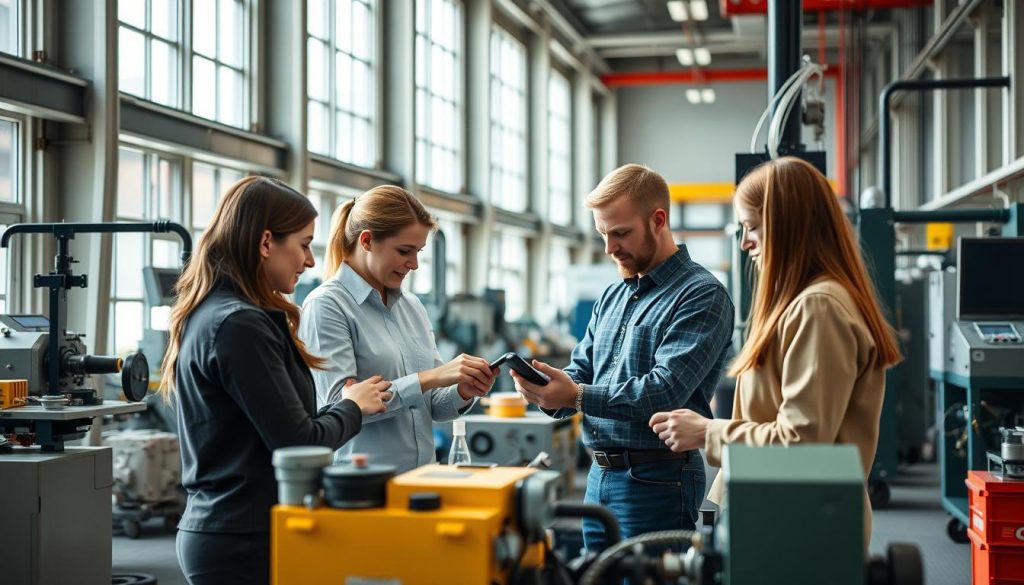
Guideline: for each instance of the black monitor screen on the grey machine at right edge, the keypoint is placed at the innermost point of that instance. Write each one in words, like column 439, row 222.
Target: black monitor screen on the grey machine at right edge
column 991, row 279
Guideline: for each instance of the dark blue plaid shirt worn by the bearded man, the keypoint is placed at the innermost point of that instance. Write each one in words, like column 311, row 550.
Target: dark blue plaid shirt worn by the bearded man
column 655, row 344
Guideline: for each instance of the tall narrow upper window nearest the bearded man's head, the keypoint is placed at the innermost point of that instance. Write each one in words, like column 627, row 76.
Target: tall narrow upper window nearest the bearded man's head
column 560, row 150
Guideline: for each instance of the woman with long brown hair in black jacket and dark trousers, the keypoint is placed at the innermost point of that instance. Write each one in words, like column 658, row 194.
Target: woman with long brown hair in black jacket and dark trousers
column 240, row 380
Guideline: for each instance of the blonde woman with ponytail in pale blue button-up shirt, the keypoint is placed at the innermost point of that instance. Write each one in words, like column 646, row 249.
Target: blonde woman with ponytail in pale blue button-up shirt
column 361, row 321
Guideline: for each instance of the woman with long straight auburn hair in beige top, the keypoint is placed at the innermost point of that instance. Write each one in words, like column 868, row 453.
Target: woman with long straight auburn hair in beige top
column 813, row 369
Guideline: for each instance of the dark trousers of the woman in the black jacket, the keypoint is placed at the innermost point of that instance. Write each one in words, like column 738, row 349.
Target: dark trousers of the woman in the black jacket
column 225, row 559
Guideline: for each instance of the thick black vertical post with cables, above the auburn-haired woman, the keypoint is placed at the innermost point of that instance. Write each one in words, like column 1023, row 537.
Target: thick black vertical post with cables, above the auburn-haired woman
column 784, row 61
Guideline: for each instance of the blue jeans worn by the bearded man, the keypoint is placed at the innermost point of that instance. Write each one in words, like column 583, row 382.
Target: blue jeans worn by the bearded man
column 662, row 495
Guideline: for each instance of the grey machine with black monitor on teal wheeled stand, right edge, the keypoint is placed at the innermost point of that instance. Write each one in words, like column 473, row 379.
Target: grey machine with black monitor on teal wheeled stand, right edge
column 983, row 385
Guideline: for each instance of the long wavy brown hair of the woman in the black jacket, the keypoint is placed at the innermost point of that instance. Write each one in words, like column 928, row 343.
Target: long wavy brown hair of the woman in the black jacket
column 230, row 250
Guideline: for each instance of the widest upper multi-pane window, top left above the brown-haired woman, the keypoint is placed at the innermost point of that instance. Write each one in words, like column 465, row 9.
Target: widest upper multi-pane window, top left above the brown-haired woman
column 154, row 36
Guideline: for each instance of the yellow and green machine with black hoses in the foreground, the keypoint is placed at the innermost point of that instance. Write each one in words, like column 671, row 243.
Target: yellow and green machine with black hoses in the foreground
column 442, row 524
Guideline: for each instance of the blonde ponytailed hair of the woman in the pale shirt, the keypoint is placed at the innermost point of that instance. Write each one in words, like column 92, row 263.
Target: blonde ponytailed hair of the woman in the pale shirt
column 383, row 211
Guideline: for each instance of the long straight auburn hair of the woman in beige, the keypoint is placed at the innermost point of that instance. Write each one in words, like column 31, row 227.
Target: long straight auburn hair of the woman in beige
column 805, row 237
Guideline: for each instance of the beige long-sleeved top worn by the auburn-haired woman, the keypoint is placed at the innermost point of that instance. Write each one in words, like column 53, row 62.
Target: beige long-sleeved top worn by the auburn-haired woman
column 819, row 385
